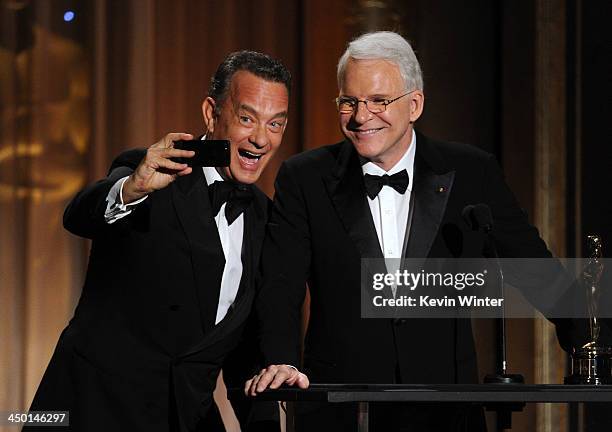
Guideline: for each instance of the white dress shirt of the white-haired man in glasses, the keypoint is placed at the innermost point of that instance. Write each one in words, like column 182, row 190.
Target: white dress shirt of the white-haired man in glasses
column 390, row 209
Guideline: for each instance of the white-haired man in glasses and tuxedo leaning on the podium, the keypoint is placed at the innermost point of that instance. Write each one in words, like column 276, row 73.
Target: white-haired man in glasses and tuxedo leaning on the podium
column 385, row 192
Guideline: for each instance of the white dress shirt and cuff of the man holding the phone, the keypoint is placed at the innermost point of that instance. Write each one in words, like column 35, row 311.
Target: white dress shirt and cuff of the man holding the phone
column 230, row 235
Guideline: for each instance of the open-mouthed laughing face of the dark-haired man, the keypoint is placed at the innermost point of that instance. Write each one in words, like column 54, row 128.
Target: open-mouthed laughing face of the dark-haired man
column 253, row 118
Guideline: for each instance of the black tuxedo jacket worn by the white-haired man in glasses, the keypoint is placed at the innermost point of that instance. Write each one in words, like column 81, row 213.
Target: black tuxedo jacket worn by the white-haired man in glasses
column 320, row 228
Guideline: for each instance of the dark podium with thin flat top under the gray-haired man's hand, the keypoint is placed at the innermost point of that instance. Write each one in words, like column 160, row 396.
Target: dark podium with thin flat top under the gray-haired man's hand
column 502, row 398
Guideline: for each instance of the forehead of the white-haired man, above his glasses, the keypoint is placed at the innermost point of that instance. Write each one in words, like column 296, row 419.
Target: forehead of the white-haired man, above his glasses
column 371, row 77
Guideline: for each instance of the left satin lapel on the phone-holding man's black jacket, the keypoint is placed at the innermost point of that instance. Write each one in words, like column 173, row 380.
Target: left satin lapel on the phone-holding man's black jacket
column 192, row 205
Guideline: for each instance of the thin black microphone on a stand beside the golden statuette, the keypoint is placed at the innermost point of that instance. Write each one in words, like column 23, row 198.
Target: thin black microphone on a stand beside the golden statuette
column 479, row 218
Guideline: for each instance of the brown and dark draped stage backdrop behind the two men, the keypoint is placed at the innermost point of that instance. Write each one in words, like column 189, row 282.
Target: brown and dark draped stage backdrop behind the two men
column 522, row 79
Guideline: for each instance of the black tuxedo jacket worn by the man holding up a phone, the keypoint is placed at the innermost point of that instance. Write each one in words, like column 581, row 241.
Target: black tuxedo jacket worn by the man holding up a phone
column 142, row 352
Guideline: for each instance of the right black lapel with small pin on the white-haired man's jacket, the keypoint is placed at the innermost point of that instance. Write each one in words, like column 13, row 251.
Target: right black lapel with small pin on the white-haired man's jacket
column 433, row 182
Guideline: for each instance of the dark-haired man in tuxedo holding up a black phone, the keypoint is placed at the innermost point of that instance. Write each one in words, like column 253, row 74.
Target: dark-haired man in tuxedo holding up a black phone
column 173, row 265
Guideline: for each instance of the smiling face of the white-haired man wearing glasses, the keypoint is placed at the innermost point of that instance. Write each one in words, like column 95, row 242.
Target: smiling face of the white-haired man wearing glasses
column 382, row 138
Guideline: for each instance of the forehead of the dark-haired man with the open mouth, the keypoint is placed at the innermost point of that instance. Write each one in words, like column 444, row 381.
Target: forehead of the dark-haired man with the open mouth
column 258, row 93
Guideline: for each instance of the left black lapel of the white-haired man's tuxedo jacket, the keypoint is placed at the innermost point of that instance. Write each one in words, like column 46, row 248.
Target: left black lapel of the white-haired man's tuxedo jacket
column 346, row 189
